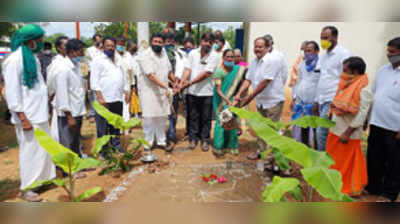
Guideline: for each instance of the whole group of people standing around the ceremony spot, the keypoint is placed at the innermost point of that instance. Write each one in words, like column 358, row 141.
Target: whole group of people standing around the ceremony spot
column 152, row 84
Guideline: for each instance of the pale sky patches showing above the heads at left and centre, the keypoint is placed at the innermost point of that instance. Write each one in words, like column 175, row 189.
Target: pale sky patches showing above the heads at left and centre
column 87, row 28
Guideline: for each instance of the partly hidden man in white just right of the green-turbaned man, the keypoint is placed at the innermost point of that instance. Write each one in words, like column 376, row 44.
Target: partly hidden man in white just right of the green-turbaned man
column 61, row 47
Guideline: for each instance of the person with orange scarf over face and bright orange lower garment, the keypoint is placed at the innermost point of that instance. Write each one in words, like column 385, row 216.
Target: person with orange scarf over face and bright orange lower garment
column 349, row 109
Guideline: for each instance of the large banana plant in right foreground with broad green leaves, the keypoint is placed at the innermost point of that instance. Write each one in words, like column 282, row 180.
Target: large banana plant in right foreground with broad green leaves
column 316, row 165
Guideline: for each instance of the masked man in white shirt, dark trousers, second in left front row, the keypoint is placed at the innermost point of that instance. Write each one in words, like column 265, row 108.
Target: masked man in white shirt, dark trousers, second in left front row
column 70, row 96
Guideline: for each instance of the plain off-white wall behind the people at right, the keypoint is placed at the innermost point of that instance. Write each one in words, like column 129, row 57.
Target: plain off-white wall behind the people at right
column 364, row 39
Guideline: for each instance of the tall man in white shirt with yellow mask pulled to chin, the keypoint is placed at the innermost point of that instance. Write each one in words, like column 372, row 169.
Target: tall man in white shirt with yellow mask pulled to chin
column 331, row 69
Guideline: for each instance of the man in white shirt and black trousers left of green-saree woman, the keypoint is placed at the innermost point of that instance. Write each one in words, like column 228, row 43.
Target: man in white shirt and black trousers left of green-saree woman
column 202, row 63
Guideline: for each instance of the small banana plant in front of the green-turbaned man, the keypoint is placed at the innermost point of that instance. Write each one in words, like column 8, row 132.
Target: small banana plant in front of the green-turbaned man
column 69, row 162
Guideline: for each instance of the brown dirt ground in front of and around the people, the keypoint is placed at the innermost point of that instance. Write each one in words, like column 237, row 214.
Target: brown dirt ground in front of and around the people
column 176, row 178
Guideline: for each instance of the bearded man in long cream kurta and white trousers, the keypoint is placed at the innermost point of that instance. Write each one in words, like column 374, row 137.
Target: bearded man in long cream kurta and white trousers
column 154, row 94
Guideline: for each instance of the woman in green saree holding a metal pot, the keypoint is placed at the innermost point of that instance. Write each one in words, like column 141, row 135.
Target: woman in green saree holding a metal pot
column 227, row 80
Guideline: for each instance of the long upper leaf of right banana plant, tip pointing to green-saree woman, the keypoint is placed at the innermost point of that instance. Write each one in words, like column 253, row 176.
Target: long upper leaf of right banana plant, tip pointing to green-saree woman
column 289, row 147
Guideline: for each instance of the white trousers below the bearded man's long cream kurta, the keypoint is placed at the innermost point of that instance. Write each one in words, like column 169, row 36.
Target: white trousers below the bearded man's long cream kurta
column 154, row 128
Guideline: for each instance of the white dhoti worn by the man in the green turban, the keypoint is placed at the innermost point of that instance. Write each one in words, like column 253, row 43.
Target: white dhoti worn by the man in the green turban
column 34, row 162
